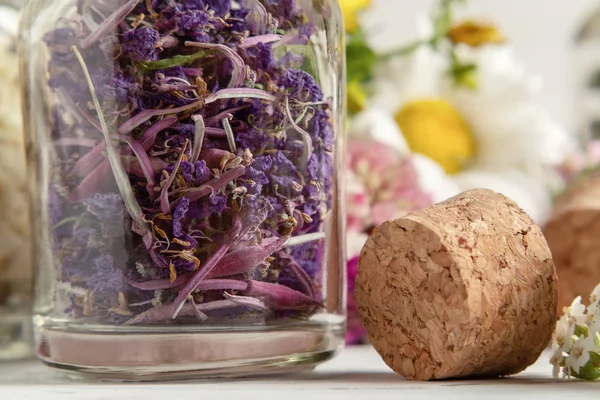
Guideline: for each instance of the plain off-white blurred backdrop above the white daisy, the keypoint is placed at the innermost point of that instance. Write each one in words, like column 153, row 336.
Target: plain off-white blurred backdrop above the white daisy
column 542, row 32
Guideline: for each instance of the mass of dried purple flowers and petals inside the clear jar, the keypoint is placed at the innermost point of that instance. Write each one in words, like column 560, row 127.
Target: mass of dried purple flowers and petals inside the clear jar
column 223, row 151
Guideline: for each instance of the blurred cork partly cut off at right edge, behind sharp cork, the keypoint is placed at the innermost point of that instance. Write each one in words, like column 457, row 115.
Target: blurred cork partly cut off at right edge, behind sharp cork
column 573, row 234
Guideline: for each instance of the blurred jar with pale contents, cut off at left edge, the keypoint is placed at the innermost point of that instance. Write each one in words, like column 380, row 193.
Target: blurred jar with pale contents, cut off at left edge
column 15, row 249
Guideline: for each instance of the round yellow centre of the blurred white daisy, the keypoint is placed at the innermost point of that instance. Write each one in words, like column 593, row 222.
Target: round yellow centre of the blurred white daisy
column 435, row 128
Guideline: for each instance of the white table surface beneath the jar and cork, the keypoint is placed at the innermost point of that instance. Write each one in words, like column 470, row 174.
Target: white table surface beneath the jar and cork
column 357, row 373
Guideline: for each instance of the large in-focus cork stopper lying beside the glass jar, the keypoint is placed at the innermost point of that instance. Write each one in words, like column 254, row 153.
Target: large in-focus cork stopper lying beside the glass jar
column 465, row 288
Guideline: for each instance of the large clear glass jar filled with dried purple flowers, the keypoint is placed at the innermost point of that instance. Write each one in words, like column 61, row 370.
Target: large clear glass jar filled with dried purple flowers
column 186, row 156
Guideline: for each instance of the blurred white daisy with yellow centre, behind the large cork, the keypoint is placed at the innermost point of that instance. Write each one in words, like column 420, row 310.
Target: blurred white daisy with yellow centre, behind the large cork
column 496, row 136
